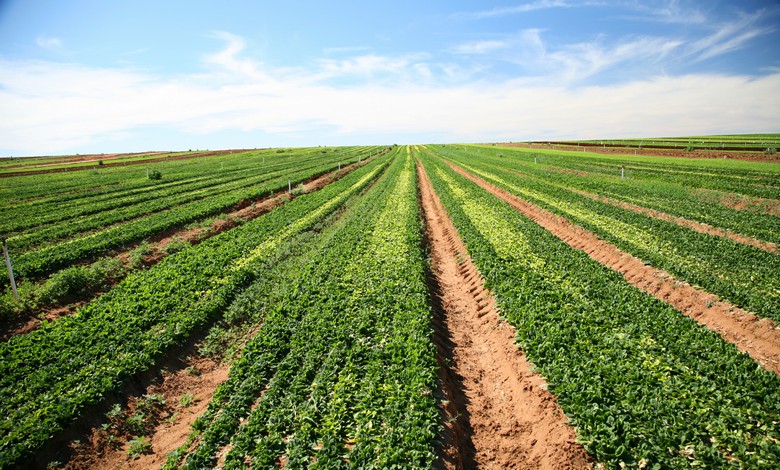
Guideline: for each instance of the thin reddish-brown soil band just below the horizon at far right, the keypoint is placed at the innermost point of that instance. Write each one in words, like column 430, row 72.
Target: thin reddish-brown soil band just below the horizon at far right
column 731, row 155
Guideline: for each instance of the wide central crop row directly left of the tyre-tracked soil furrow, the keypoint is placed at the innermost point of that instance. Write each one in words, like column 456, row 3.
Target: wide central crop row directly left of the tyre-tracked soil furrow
column 342, row 371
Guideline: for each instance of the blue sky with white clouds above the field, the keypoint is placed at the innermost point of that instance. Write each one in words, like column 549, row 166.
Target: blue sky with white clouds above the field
column 88, row 76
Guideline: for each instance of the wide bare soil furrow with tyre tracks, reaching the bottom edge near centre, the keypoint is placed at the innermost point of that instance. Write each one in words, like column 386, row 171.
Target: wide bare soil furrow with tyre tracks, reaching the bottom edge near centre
column 497, row 412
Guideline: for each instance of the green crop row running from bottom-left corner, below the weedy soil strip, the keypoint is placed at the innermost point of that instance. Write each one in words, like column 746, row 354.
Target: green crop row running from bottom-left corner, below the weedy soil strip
column 51, row 375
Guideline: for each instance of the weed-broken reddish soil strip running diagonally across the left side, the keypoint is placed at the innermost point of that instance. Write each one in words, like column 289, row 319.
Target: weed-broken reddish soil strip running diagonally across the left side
column 246, row 211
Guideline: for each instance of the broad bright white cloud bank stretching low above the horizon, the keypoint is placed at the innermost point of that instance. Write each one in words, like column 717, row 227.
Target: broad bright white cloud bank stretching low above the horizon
column 49, row 107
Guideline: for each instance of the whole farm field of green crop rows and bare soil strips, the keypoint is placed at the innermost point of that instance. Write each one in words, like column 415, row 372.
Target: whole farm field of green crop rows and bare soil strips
column 423, row 306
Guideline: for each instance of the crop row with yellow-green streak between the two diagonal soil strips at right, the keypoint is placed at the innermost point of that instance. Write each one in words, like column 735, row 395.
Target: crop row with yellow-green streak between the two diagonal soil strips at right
column 744, row 275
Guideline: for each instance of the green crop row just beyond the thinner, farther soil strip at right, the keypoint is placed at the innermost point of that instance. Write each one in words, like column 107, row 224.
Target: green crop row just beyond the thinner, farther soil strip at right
column 663, row 194
